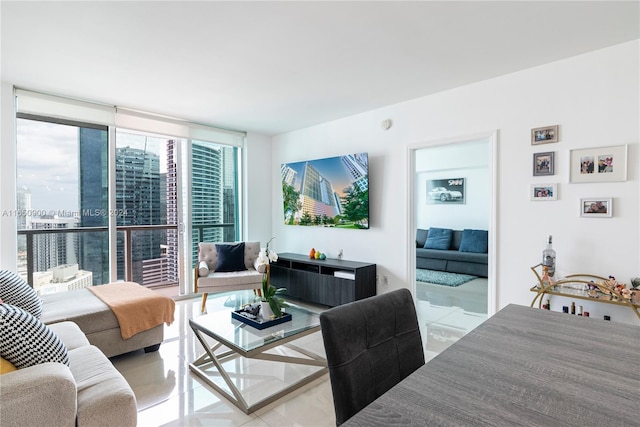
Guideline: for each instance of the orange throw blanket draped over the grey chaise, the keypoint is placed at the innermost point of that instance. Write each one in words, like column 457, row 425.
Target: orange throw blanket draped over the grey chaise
column 136, row 307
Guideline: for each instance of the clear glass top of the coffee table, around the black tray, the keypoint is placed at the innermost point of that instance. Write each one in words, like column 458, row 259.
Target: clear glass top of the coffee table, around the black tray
column 244, row 338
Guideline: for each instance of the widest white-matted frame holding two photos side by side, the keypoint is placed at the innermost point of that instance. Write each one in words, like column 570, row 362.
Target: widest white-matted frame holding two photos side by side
column 603, row 164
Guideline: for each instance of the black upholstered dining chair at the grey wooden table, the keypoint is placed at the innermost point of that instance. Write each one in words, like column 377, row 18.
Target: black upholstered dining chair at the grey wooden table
column 371, row 345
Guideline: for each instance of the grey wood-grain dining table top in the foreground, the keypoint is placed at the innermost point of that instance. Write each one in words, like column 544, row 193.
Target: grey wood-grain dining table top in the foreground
column 522, row 366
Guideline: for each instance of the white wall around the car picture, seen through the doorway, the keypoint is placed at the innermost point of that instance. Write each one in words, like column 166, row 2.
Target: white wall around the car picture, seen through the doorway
column 468, row 160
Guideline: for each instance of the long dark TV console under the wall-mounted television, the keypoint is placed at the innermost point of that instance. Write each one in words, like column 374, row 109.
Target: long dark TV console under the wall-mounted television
column 328, row 282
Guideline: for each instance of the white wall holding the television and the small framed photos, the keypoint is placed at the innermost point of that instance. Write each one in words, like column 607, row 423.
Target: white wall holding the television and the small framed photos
column 595, row 100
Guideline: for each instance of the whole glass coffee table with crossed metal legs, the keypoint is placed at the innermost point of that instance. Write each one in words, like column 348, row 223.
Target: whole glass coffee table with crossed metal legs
column 234, row 339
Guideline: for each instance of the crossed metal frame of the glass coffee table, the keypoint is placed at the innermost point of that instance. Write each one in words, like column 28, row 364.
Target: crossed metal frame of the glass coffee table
column 217, row 360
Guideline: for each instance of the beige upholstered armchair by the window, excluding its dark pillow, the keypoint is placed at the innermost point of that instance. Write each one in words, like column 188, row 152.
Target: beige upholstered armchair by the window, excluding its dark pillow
column 208, row 280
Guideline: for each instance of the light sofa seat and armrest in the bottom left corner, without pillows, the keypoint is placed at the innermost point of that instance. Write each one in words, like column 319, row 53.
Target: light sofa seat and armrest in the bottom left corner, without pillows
column 88, row 392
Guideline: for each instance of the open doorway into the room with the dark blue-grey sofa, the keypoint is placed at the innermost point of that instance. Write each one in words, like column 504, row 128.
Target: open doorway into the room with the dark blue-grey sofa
column 452, row 186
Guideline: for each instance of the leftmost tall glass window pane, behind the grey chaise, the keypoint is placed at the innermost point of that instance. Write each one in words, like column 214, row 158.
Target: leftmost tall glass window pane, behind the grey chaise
column 61, row 191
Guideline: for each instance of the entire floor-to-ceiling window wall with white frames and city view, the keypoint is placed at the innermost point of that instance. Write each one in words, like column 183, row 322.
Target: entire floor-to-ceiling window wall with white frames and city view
column 100, row 202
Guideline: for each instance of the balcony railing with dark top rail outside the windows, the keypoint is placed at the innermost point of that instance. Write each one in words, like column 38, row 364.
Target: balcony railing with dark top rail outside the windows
column 147, row 254
